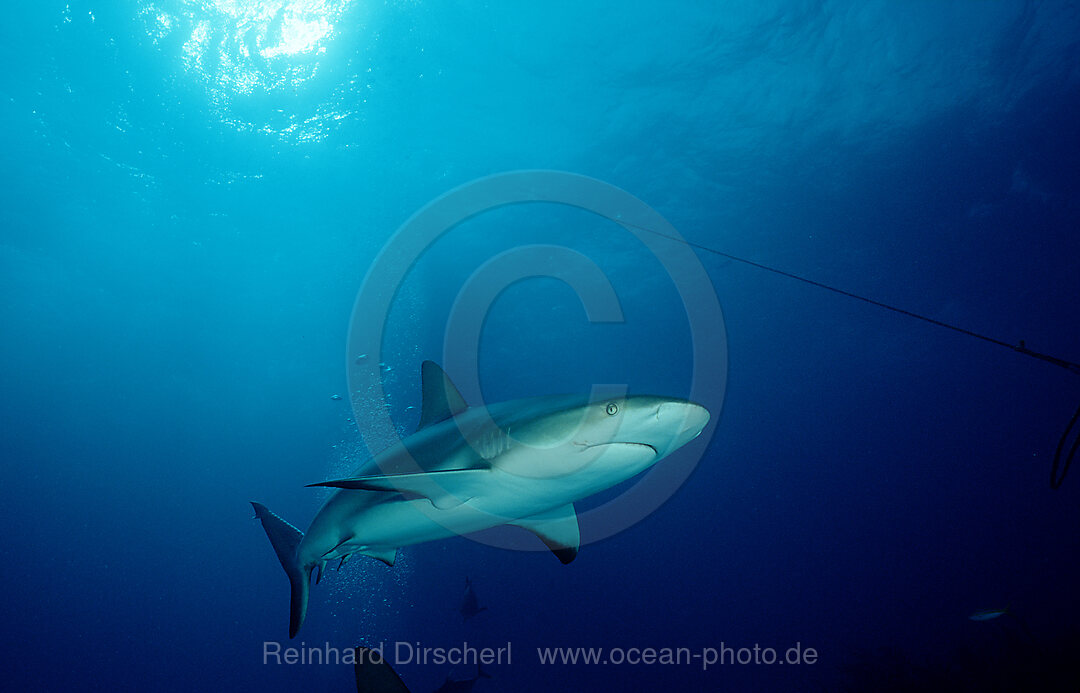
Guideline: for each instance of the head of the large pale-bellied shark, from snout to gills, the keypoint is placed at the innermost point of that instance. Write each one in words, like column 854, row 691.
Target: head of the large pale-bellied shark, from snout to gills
column 609, row 441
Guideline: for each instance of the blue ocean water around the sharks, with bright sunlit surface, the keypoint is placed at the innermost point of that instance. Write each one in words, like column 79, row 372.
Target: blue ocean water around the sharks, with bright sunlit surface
column 194, row 193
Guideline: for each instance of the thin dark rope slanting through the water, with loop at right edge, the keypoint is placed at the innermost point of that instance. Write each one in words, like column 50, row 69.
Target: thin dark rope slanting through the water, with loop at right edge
column 1060, row 463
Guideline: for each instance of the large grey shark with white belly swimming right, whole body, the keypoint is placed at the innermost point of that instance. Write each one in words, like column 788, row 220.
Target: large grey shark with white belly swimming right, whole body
column 523, row 463
